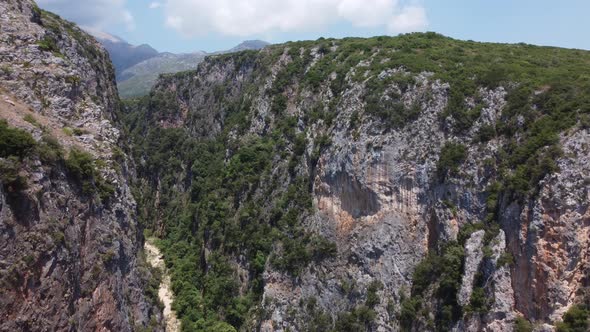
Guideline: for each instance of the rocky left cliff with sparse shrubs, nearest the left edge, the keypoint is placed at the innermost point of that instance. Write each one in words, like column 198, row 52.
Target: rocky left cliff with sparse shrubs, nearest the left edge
column 69, row 234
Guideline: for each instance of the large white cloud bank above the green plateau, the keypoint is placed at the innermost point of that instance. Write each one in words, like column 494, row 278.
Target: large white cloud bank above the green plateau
column 251, row 17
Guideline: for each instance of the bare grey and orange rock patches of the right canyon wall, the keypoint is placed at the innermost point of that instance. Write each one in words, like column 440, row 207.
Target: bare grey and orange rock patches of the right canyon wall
column 376, row 196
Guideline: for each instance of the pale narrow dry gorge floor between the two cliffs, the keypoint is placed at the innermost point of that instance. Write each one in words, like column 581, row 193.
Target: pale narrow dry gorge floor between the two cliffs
column 154, row 258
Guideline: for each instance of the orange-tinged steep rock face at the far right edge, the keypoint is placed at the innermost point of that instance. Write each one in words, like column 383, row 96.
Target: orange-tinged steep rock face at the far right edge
column 553, row 267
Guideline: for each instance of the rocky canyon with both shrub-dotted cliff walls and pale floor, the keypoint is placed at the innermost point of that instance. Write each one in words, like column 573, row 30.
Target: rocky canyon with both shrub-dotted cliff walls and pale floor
column 410, row 183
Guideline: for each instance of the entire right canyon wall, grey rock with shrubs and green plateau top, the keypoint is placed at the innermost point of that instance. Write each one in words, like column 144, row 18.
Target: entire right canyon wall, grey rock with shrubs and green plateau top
column 390, row 181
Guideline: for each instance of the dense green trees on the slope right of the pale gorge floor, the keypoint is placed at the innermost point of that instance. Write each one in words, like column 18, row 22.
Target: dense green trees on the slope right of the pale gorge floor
column 221, row 215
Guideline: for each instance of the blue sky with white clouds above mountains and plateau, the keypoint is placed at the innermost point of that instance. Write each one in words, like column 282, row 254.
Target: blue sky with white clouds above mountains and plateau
column 183, row 26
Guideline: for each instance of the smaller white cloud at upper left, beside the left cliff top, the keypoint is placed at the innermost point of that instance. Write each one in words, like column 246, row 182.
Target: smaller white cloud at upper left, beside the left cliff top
column 98, row 14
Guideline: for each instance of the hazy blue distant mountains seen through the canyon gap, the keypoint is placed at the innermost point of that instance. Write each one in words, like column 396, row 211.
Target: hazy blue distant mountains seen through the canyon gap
column 137, row 67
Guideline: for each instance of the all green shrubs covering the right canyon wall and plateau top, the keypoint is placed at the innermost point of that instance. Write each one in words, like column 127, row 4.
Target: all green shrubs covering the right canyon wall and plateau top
column 223, row 199
